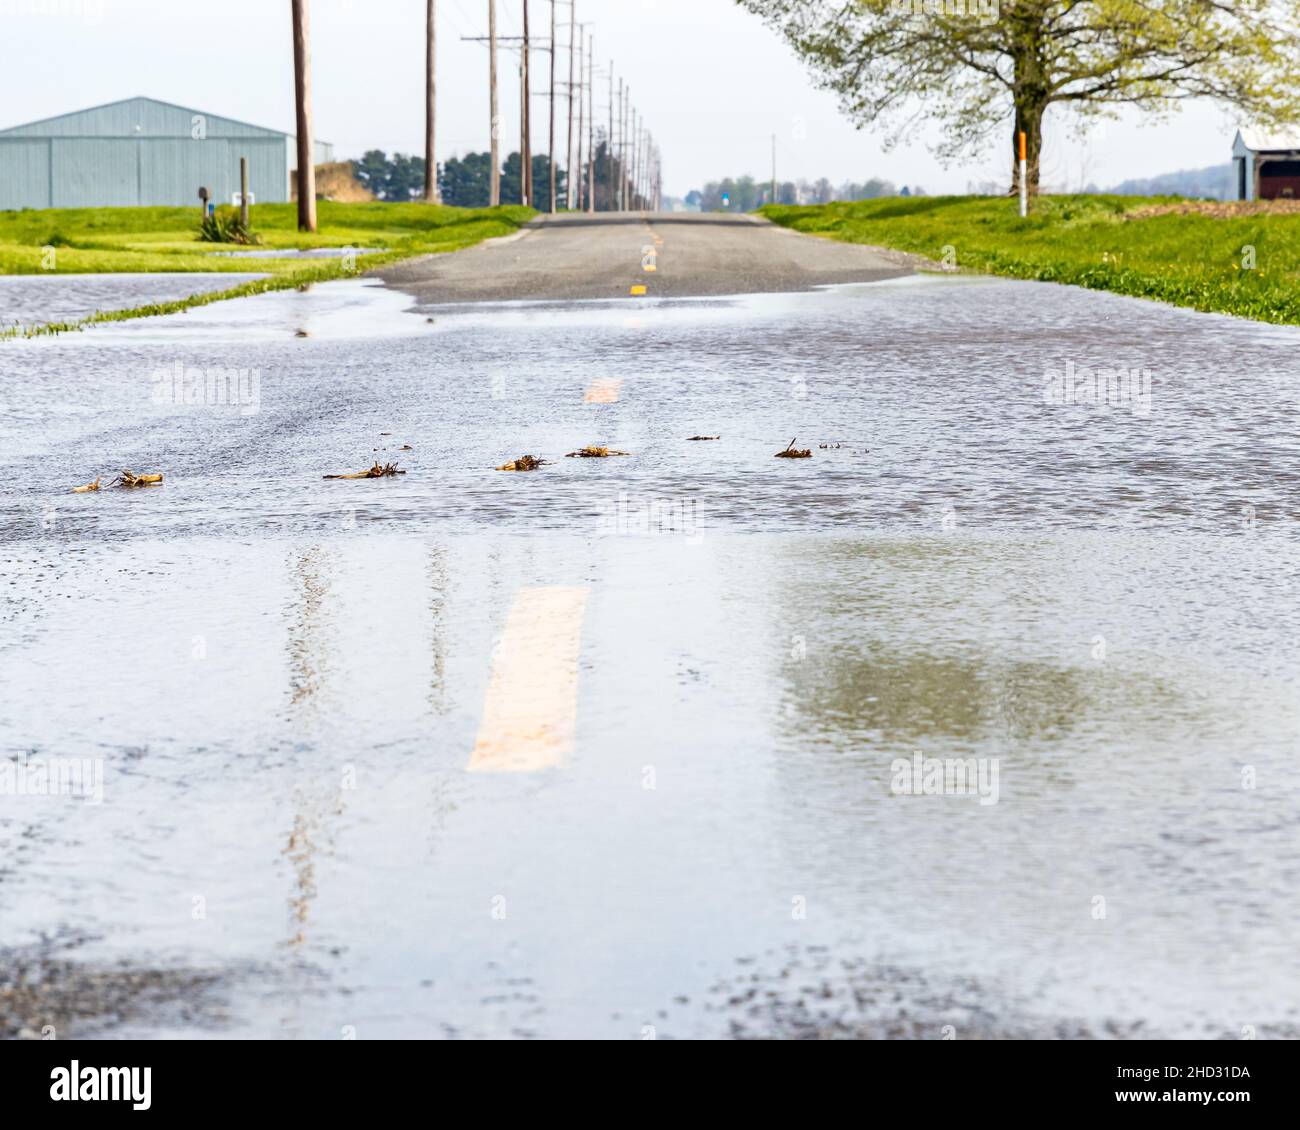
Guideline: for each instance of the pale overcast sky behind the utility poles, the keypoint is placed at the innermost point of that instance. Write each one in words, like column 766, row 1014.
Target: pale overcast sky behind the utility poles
column 712, row 81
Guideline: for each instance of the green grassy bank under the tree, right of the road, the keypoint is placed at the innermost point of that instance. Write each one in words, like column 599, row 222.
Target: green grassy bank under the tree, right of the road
column 1181, row 258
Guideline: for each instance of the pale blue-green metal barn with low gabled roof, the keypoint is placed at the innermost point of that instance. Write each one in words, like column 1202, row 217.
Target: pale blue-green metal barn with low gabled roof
column 142, row 151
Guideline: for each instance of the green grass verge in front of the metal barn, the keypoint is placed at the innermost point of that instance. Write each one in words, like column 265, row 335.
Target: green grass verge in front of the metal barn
column 106, row 241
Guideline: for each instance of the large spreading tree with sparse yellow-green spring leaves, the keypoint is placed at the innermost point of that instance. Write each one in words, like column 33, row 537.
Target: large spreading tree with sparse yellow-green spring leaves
column 977, row 67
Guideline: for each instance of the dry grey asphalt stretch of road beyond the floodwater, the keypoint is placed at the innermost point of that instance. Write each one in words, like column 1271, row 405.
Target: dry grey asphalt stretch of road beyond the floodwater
column 604, row 257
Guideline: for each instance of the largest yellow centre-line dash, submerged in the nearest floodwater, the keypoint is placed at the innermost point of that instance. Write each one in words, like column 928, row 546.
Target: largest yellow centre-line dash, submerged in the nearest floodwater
column 531, row 708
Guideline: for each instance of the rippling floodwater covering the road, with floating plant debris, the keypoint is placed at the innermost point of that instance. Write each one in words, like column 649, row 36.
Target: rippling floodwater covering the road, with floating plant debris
column 292, row 687
